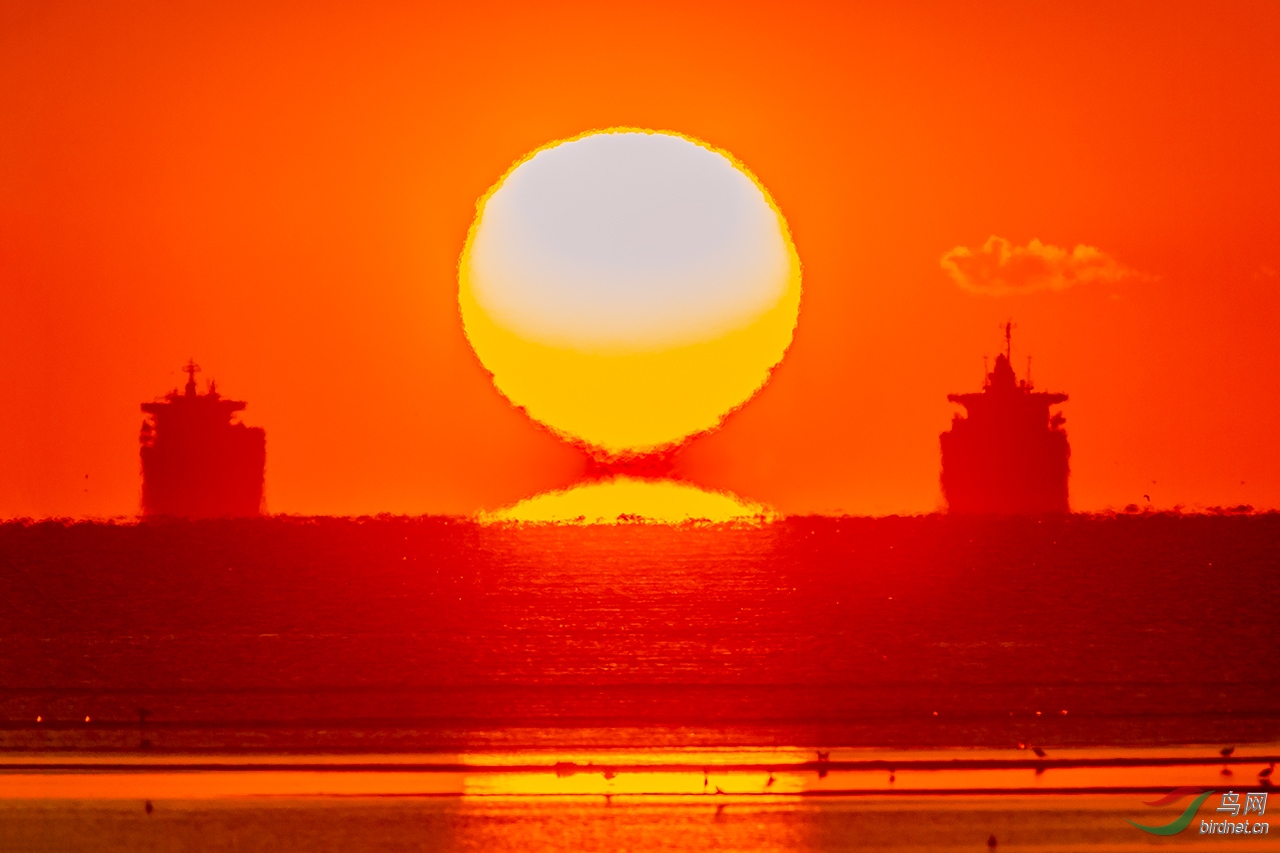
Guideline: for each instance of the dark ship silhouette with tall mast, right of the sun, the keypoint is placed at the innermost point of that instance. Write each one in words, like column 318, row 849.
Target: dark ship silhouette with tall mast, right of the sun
column 1008, row 455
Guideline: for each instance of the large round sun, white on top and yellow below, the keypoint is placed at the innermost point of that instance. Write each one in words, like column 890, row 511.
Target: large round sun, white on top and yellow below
column 650, row 385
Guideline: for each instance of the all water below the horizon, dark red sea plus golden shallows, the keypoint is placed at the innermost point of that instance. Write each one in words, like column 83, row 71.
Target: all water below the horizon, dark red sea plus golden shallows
column 551, row 687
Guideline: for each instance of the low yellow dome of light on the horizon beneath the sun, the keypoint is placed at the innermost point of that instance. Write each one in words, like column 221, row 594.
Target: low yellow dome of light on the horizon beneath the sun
column 664, row 501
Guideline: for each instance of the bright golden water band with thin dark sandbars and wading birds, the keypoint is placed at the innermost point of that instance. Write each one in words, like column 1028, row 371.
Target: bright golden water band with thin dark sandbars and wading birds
column 711, row 774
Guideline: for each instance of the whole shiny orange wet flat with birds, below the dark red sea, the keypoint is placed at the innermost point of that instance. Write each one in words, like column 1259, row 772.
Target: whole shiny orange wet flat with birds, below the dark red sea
column 683, row 800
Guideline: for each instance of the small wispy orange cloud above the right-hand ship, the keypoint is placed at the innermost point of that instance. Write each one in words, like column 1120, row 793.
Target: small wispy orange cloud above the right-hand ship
column 1000, row 268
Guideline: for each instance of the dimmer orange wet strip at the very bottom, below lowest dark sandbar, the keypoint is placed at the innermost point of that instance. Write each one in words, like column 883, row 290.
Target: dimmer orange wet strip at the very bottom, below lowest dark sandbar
column 751, row 825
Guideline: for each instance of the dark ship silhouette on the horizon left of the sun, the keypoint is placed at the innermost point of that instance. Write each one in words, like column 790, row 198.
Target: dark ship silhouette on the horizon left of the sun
column 196, row 463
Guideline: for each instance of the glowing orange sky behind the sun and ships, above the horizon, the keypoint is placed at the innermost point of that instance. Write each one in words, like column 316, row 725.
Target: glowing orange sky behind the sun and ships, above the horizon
column 282, row 191
